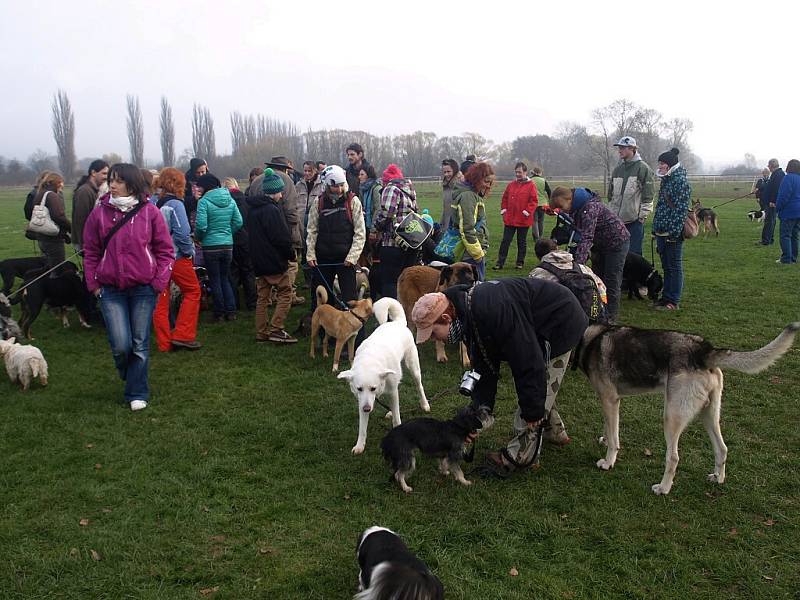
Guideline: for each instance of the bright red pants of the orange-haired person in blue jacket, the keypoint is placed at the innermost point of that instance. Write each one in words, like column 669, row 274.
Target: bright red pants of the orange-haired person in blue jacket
column 186, row 324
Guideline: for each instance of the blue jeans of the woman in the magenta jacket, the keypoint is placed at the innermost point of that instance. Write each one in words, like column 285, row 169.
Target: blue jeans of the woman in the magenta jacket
column 128, row 315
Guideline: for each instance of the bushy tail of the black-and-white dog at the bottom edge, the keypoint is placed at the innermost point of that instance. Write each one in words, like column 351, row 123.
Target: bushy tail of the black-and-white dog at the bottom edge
column 392, row 581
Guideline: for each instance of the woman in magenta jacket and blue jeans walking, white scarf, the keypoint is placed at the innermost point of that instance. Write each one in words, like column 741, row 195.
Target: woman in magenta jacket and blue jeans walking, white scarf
column 128, row 257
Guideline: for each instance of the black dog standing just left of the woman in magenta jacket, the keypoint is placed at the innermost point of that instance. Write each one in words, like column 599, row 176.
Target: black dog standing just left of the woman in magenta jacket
column 65, row 289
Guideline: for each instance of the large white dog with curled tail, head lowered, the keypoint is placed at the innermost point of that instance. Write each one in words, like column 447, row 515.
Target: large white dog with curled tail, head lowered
column 377, row 367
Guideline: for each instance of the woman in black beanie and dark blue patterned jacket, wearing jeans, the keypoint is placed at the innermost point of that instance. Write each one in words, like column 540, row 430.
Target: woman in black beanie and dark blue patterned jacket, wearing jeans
column 674, row 198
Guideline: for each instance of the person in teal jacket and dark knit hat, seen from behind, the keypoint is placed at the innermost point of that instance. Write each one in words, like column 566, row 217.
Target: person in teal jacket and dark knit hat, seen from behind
column 217, row 220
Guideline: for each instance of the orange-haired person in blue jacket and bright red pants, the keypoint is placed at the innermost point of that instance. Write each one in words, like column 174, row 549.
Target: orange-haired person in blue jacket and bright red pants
column 172, row 184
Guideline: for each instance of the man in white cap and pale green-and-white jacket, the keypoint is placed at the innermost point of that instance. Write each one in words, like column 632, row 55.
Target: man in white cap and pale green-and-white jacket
column 630, row 193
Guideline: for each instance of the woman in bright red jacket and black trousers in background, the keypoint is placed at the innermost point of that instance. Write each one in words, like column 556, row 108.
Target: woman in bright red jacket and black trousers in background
column 517, row 207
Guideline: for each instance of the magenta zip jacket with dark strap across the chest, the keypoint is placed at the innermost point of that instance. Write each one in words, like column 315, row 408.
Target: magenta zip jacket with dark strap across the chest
column 139, row 253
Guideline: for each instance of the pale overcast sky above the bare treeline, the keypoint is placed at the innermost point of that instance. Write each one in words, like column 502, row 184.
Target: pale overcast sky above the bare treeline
column 503, row 69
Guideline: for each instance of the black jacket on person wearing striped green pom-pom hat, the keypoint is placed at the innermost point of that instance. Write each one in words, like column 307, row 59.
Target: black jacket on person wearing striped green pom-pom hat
column 269, row 237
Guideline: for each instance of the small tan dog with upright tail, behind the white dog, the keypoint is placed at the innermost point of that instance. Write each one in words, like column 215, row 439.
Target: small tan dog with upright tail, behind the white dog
column 340, row 324
